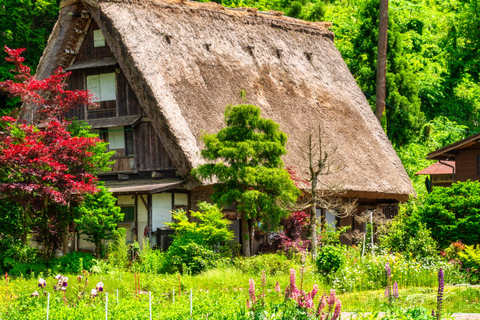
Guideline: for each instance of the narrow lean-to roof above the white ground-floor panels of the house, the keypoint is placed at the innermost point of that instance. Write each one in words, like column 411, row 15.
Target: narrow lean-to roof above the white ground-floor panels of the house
column 143, row 185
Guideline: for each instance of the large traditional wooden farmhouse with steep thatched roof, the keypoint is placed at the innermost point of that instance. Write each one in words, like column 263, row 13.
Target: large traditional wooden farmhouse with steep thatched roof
column 163, row 72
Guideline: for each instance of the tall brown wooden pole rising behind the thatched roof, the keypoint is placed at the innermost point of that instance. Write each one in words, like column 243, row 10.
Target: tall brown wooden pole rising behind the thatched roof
column 381, row 60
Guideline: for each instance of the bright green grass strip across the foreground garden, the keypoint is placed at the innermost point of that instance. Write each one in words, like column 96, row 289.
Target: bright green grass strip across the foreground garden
column 232, row 284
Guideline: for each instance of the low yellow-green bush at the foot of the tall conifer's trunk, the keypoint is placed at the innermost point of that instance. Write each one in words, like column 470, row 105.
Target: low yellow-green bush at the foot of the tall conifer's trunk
column 271, row 263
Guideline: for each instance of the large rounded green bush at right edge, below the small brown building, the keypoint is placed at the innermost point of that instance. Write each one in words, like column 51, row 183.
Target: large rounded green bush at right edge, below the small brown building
column 453, row 213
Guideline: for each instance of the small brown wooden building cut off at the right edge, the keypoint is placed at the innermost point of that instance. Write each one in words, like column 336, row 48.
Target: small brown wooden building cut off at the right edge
column 459, row 161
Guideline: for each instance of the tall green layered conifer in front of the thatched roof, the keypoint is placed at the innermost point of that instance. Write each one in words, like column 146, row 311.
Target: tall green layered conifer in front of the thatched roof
column 245, row 159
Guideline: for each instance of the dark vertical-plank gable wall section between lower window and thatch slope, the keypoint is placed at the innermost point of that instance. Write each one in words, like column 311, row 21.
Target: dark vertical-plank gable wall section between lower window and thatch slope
column 149, row 151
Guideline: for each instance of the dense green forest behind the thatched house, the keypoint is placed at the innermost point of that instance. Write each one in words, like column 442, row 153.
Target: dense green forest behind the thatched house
column 433, row 61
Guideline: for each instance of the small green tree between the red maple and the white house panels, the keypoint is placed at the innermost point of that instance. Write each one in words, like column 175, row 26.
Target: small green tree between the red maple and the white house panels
column 98, row 218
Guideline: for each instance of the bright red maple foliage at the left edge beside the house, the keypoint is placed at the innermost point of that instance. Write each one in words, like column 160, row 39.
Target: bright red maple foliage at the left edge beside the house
column 45, row 163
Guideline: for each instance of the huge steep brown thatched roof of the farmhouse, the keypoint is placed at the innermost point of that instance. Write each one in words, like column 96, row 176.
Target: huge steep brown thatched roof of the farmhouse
column 186, row 61
